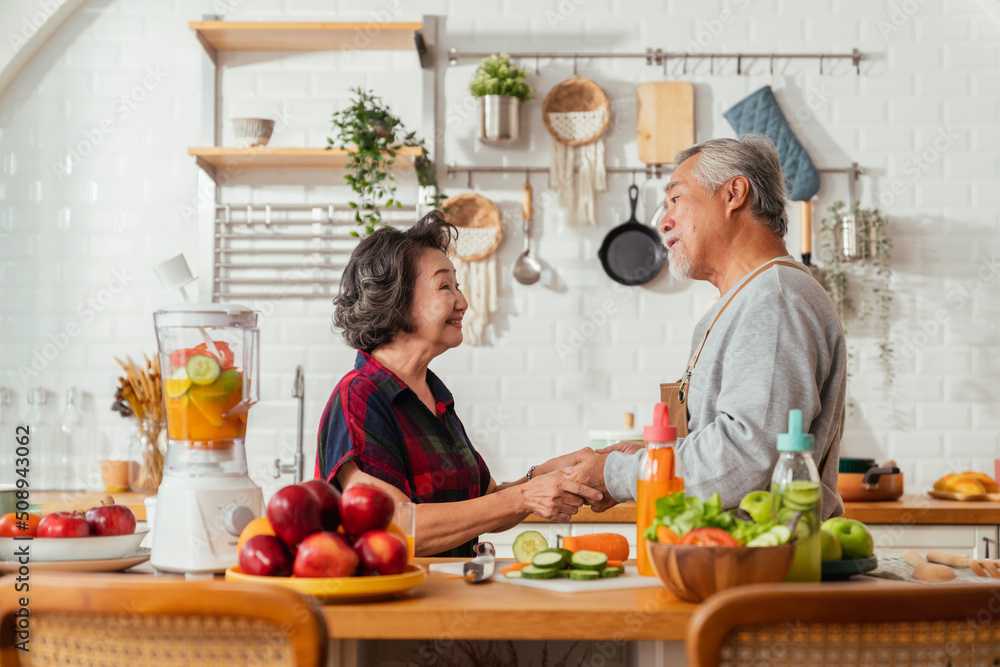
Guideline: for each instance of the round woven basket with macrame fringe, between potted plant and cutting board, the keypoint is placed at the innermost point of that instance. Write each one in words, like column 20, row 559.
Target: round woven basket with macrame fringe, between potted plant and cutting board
column 576, row 113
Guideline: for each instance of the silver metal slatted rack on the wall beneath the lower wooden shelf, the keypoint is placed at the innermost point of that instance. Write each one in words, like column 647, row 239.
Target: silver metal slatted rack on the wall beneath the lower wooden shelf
column 305, row 249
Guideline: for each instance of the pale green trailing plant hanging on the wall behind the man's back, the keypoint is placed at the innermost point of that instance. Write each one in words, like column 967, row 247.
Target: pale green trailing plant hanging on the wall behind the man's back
column 872, row 273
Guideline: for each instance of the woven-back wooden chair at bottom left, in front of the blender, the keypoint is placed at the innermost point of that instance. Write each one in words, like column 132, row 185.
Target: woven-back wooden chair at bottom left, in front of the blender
column 81, row 620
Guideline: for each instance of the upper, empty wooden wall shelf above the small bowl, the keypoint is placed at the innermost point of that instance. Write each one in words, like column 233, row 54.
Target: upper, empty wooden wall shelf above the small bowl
column 284, row 36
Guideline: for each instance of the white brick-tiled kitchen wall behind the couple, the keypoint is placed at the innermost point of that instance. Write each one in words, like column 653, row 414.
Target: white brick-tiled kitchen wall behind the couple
column 62, row 236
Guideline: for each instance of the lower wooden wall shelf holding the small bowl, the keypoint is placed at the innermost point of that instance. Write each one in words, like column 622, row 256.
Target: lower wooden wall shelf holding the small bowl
column 215, row 158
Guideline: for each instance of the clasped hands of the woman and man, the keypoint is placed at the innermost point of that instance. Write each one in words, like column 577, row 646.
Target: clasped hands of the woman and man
column 560, row 486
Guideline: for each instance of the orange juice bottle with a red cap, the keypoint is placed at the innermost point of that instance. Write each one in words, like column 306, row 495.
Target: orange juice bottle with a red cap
column 658, row 477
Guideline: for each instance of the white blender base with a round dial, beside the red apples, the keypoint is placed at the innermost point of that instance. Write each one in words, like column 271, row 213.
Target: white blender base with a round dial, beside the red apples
column 199, row 521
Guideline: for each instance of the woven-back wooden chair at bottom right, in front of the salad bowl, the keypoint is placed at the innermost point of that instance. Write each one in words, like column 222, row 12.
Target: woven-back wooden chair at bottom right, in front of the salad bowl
column 847, row 624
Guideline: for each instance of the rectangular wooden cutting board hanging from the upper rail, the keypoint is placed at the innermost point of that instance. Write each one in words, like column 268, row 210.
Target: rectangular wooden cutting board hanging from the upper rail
column 666, row 119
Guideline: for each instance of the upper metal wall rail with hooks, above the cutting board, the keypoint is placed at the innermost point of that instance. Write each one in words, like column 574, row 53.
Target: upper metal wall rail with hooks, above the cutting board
column 661, row 57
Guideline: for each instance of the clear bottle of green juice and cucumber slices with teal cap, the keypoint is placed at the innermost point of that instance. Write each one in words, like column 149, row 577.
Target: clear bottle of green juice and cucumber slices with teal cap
column 795, row 491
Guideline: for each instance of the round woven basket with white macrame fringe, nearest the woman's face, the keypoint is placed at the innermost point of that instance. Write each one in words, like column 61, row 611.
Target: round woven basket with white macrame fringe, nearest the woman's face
column 480, row 229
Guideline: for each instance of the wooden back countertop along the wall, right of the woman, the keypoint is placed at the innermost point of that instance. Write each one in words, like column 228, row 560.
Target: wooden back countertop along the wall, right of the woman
column 910, row 509
